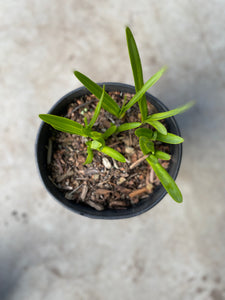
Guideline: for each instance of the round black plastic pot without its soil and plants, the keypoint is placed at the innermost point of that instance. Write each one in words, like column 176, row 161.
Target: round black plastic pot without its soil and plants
column 82, row 209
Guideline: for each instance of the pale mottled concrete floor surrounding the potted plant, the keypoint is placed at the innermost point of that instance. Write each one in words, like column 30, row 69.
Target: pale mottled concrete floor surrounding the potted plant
column 172, row 252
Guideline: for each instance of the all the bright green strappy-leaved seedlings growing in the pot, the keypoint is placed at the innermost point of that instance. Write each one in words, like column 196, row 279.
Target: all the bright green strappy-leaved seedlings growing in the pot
column 147, row 136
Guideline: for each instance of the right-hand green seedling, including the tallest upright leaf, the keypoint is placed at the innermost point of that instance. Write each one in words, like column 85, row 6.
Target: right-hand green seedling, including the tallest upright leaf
column 147, row 136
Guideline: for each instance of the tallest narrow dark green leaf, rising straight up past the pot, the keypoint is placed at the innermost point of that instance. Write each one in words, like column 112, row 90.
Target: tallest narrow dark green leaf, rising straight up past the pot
column 137, row 71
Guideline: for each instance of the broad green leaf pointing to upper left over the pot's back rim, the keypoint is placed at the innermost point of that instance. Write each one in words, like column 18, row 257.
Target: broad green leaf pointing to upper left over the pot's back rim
column 108, row 103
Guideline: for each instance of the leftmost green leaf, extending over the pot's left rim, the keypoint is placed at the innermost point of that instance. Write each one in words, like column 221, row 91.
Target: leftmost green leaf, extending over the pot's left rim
column 63, row 124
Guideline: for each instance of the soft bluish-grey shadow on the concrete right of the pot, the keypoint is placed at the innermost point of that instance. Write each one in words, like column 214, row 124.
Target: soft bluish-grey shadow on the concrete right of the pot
column 204, row 120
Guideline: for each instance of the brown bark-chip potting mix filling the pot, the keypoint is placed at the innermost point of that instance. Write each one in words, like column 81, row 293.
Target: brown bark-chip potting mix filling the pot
column 105, row 183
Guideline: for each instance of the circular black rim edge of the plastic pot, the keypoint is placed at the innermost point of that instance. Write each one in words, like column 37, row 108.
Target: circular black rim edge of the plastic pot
column 108, row 213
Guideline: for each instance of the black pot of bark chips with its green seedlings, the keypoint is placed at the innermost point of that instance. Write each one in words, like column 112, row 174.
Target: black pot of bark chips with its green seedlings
column 115, row 150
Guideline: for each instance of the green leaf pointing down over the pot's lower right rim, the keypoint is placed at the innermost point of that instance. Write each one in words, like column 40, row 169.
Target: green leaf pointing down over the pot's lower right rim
column 166, row 180
